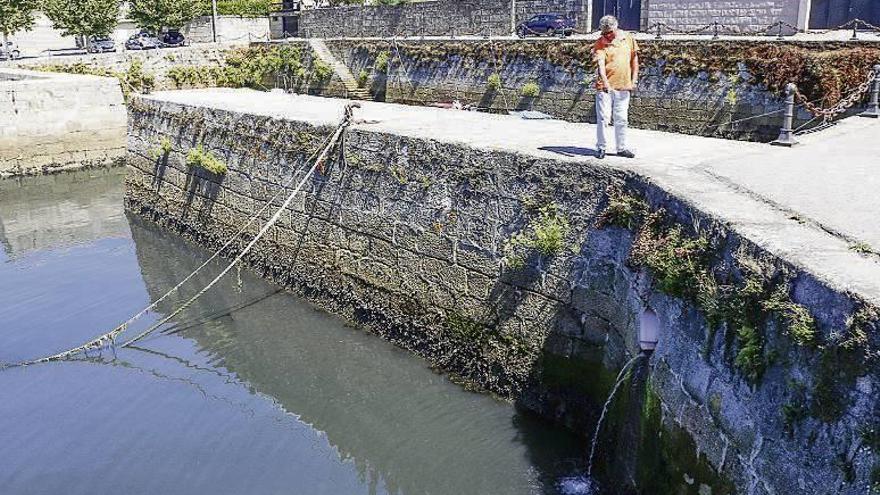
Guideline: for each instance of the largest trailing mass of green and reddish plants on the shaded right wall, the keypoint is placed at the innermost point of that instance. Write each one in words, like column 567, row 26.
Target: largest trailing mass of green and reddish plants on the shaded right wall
column 681, row 265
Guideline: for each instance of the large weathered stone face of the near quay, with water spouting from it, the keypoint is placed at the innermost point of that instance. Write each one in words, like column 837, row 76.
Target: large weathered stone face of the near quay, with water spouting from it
column 409, row 237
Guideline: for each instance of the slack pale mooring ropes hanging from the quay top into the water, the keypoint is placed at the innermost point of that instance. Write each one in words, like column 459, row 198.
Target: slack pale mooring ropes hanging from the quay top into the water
column 110, row 337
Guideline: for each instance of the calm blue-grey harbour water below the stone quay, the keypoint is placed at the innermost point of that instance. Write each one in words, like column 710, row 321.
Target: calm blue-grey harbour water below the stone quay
column 251, row 391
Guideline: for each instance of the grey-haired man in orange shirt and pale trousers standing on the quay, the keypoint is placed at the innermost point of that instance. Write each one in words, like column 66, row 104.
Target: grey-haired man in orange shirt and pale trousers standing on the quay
column 617, row 55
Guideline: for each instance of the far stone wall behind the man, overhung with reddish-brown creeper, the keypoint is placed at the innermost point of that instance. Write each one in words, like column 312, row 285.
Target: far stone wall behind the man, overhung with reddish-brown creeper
column 701, row 103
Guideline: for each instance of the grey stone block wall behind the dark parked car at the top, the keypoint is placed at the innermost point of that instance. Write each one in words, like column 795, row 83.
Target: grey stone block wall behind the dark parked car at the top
column 434, row 18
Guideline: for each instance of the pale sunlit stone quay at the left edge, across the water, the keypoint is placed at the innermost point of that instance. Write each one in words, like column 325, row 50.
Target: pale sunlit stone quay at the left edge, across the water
column 57, row 121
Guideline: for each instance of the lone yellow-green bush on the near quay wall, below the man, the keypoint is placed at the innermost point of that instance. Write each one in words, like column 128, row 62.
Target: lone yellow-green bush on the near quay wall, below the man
column 545, row 234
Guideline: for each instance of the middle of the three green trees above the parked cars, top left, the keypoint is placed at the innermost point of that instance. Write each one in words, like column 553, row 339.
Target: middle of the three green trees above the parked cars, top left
column 83, row 18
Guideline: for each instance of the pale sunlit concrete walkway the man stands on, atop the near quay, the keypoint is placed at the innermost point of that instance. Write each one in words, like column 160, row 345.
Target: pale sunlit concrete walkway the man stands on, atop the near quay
column 808, row 204
